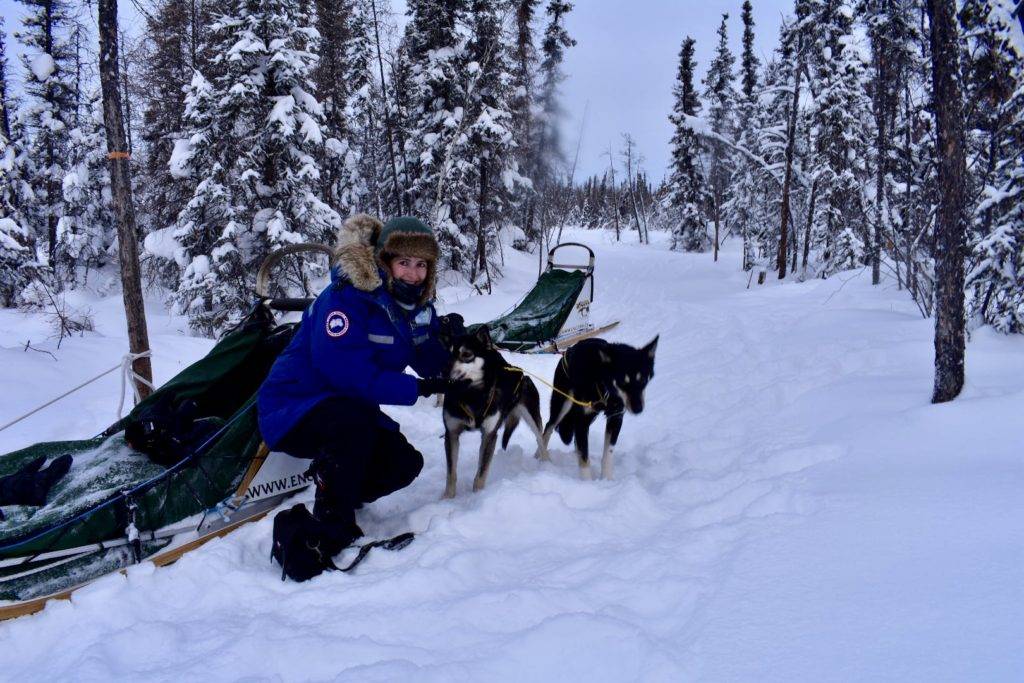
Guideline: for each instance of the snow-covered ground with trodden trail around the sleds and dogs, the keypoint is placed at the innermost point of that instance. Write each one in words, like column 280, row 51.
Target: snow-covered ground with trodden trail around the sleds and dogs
column 789, row 507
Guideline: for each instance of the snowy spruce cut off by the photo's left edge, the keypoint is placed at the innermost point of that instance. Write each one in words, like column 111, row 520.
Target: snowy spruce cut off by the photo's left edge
column 16, row 245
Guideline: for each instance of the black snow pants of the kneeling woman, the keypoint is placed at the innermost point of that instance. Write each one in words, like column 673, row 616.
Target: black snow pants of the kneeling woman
column 357, row 460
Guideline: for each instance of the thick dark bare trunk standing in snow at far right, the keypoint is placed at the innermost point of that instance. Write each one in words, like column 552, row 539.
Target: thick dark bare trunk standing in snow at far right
column 951, row 219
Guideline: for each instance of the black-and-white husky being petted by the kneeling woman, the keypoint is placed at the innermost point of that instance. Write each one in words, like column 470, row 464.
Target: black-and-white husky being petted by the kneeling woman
column 496, row 395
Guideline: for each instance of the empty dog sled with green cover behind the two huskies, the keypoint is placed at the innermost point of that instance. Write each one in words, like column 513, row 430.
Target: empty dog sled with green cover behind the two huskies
column 556, row 314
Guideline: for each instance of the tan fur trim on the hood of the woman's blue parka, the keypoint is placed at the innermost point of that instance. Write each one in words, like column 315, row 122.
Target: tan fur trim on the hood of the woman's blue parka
column 356, row 257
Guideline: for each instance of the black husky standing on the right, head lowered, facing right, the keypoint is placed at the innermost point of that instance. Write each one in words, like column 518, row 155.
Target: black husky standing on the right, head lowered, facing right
column 601, row 377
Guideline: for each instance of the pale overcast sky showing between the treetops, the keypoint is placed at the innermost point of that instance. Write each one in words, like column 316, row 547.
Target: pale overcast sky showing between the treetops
column 621, row 71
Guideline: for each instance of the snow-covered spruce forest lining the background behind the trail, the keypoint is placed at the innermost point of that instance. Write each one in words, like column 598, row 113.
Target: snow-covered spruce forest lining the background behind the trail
column 253, row 125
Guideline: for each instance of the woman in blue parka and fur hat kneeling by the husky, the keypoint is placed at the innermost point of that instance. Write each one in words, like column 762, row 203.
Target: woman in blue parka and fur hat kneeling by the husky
column 323, row 397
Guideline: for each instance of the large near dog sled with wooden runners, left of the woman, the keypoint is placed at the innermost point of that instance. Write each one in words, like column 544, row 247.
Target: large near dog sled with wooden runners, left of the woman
column 186, row 466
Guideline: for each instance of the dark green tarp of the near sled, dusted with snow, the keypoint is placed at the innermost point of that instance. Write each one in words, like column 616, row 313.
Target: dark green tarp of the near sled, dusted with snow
column 109, row 482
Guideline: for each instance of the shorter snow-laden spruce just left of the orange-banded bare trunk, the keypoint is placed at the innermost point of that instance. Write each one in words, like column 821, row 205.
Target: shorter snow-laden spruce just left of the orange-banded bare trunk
column 88, row 230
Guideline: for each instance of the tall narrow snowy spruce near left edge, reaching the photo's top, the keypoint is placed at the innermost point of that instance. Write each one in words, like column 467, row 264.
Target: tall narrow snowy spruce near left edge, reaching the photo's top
column 49, row 110
